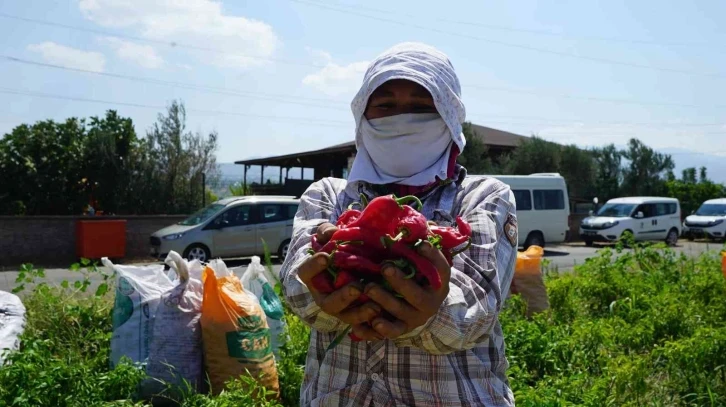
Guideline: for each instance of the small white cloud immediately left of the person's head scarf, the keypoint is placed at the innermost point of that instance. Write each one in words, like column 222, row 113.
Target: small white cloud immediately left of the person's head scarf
column 334, row 79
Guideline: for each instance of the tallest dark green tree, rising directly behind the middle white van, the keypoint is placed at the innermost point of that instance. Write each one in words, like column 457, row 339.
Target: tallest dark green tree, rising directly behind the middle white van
column 646, row 171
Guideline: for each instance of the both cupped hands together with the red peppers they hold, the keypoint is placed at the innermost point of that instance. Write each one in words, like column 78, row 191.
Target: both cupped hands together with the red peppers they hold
column 403, row 259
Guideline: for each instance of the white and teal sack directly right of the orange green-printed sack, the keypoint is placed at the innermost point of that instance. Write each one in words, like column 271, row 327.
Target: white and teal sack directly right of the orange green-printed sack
column 258, row 280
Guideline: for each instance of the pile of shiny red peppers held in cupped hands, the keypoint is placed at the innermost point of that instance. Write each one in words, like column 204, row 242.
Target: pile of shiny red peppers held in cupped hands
column 384, row 231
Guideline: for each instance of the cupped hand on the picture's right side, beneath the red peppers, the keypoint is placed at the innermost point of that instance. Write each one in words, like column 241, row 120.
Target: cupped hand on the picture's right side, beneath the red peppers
column 418, row 304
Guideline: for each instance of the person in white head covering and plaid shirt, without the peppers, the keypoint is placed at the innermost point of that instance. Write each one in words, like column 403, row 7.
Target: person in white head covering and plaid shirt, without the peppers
column 444, row 347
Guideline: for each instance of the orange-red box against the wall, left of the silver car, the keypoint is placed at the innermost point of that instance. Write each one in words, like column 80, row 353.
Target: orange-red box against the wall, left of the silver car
column 101, row 238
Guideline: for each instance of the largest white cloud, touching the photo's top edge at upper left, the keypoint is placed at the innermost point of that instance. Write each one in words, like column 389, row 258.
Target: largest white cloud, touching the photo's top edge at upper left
column 199, row 23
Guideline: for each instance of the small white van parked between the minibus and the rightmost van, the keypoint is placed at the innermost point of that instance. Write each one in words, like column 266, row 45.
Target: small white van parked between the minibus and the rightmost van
column 646, row 218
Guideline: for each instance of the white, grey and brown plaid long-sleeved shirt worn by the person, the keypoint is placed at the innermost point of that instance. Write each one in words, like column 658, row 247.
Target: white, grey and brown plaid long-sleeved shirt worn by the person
column 457, row 358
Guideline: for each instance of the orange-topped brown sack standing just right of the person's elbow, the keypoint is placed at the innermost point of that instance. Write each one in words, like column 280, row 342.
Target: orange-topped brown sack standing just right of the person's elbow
column 528, row 280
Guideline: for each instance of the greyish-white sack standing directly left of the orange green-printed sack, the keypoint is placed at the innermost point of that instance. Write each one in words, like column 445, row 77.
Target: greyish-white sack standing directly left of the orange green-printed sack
column 175, row 352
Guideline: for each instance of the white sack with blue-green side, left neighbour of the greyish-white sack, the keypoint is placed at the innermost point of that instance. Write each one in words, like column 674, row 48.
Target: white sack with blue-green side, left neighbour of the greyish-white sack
column 138, row 292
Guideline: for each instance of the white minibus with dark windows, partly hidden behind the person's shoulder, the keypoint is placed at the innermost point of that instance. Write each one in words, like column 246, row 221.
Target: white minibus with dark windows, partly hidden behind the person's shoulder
column 543, row 208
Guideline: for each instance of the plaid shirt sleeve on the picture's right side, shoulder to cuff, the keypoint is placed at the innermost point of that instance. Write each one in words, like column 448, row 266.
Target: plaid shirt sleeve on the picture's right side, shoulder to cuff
column 479, row 275
